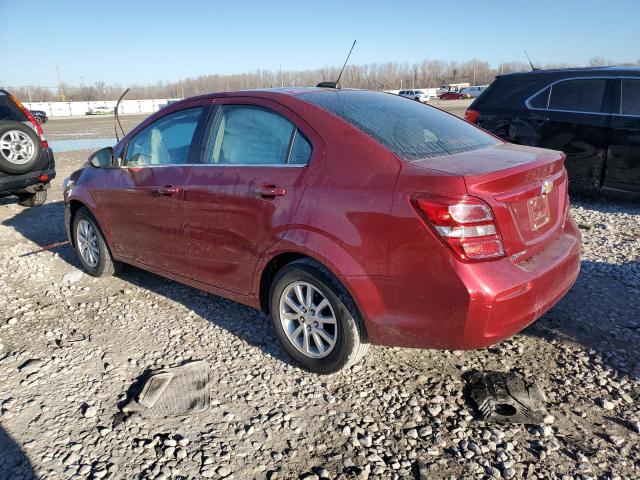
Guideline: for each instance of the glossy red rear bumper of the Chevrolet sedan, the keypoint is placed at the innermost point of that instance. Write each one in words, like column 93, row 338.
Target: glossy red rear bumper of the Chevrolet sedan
column 451, row 305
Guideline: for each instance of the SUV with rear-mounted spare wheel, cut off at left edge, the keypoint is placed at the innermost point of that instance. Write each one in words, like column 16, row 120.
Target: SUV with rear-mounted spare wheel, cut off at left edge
column 26, row 161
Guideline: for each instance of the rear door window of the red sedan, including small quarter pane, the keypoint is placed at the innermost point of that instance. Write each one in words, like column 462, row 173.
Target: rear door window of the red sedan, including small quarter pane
column 252, row 135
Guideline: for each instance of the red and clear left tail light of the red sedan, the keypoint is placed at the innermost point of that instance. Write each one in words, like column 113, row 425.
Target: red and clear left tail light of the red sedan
column 464, row 224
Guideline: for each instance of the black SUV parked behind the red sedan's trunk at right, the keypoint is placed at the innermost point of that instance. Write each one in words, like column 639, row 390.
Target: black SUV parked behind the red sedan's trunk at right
column 591, row 114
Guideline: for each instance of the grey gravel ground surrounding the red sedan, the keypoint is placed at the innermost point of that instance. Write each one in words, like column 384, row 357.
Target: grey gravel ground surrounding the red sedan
column 70, row 350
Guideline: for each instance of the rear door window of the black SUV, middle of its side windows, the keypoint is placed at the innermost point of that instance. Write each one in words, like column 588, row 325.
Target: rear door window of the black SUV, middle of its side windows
column 578, row 95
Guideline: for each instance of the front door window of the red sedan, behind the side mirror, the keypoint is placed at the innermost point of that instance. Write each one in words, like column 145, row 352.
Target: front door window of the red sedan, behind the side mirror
column 166, row 141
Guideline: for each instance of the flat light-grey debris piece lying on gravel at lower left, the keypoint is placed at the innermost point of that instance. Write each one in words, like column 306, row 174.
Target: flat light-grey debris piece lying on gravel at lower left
column 175, row 391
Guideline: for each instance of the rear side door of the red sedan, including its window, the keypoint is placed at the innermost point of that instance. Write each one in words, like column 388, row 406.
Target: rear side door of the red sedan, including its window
column 240, row 201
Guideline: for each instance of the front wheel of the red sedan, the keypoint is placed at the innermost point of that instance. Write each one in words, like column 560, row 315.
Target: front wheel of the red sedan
column 91, row 247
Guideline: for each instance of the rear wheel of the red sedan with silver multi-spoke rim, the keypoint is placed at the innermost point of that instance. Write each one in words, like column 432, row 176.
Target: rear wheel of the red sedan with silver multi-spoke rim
column 347, row 331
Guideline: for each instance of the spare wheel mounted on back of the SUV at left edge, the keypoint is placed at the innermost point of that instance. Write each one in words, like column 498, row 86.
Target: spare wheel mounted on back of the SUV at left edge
column 17, row 134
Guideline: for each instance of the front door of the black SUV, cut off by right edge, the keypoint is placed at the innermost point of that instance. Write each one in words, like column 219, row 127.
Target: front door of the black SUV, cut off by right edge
column 623, row 158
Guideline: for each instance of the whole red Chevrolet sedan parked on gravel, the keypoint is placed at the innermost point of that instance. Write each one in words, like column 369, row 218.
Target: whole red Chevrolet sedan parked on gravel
column 352, row 217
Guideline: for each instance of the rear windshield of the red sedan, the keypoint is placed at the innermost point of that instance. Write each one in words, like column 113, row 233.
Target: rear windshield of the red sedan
column 408, row 128
